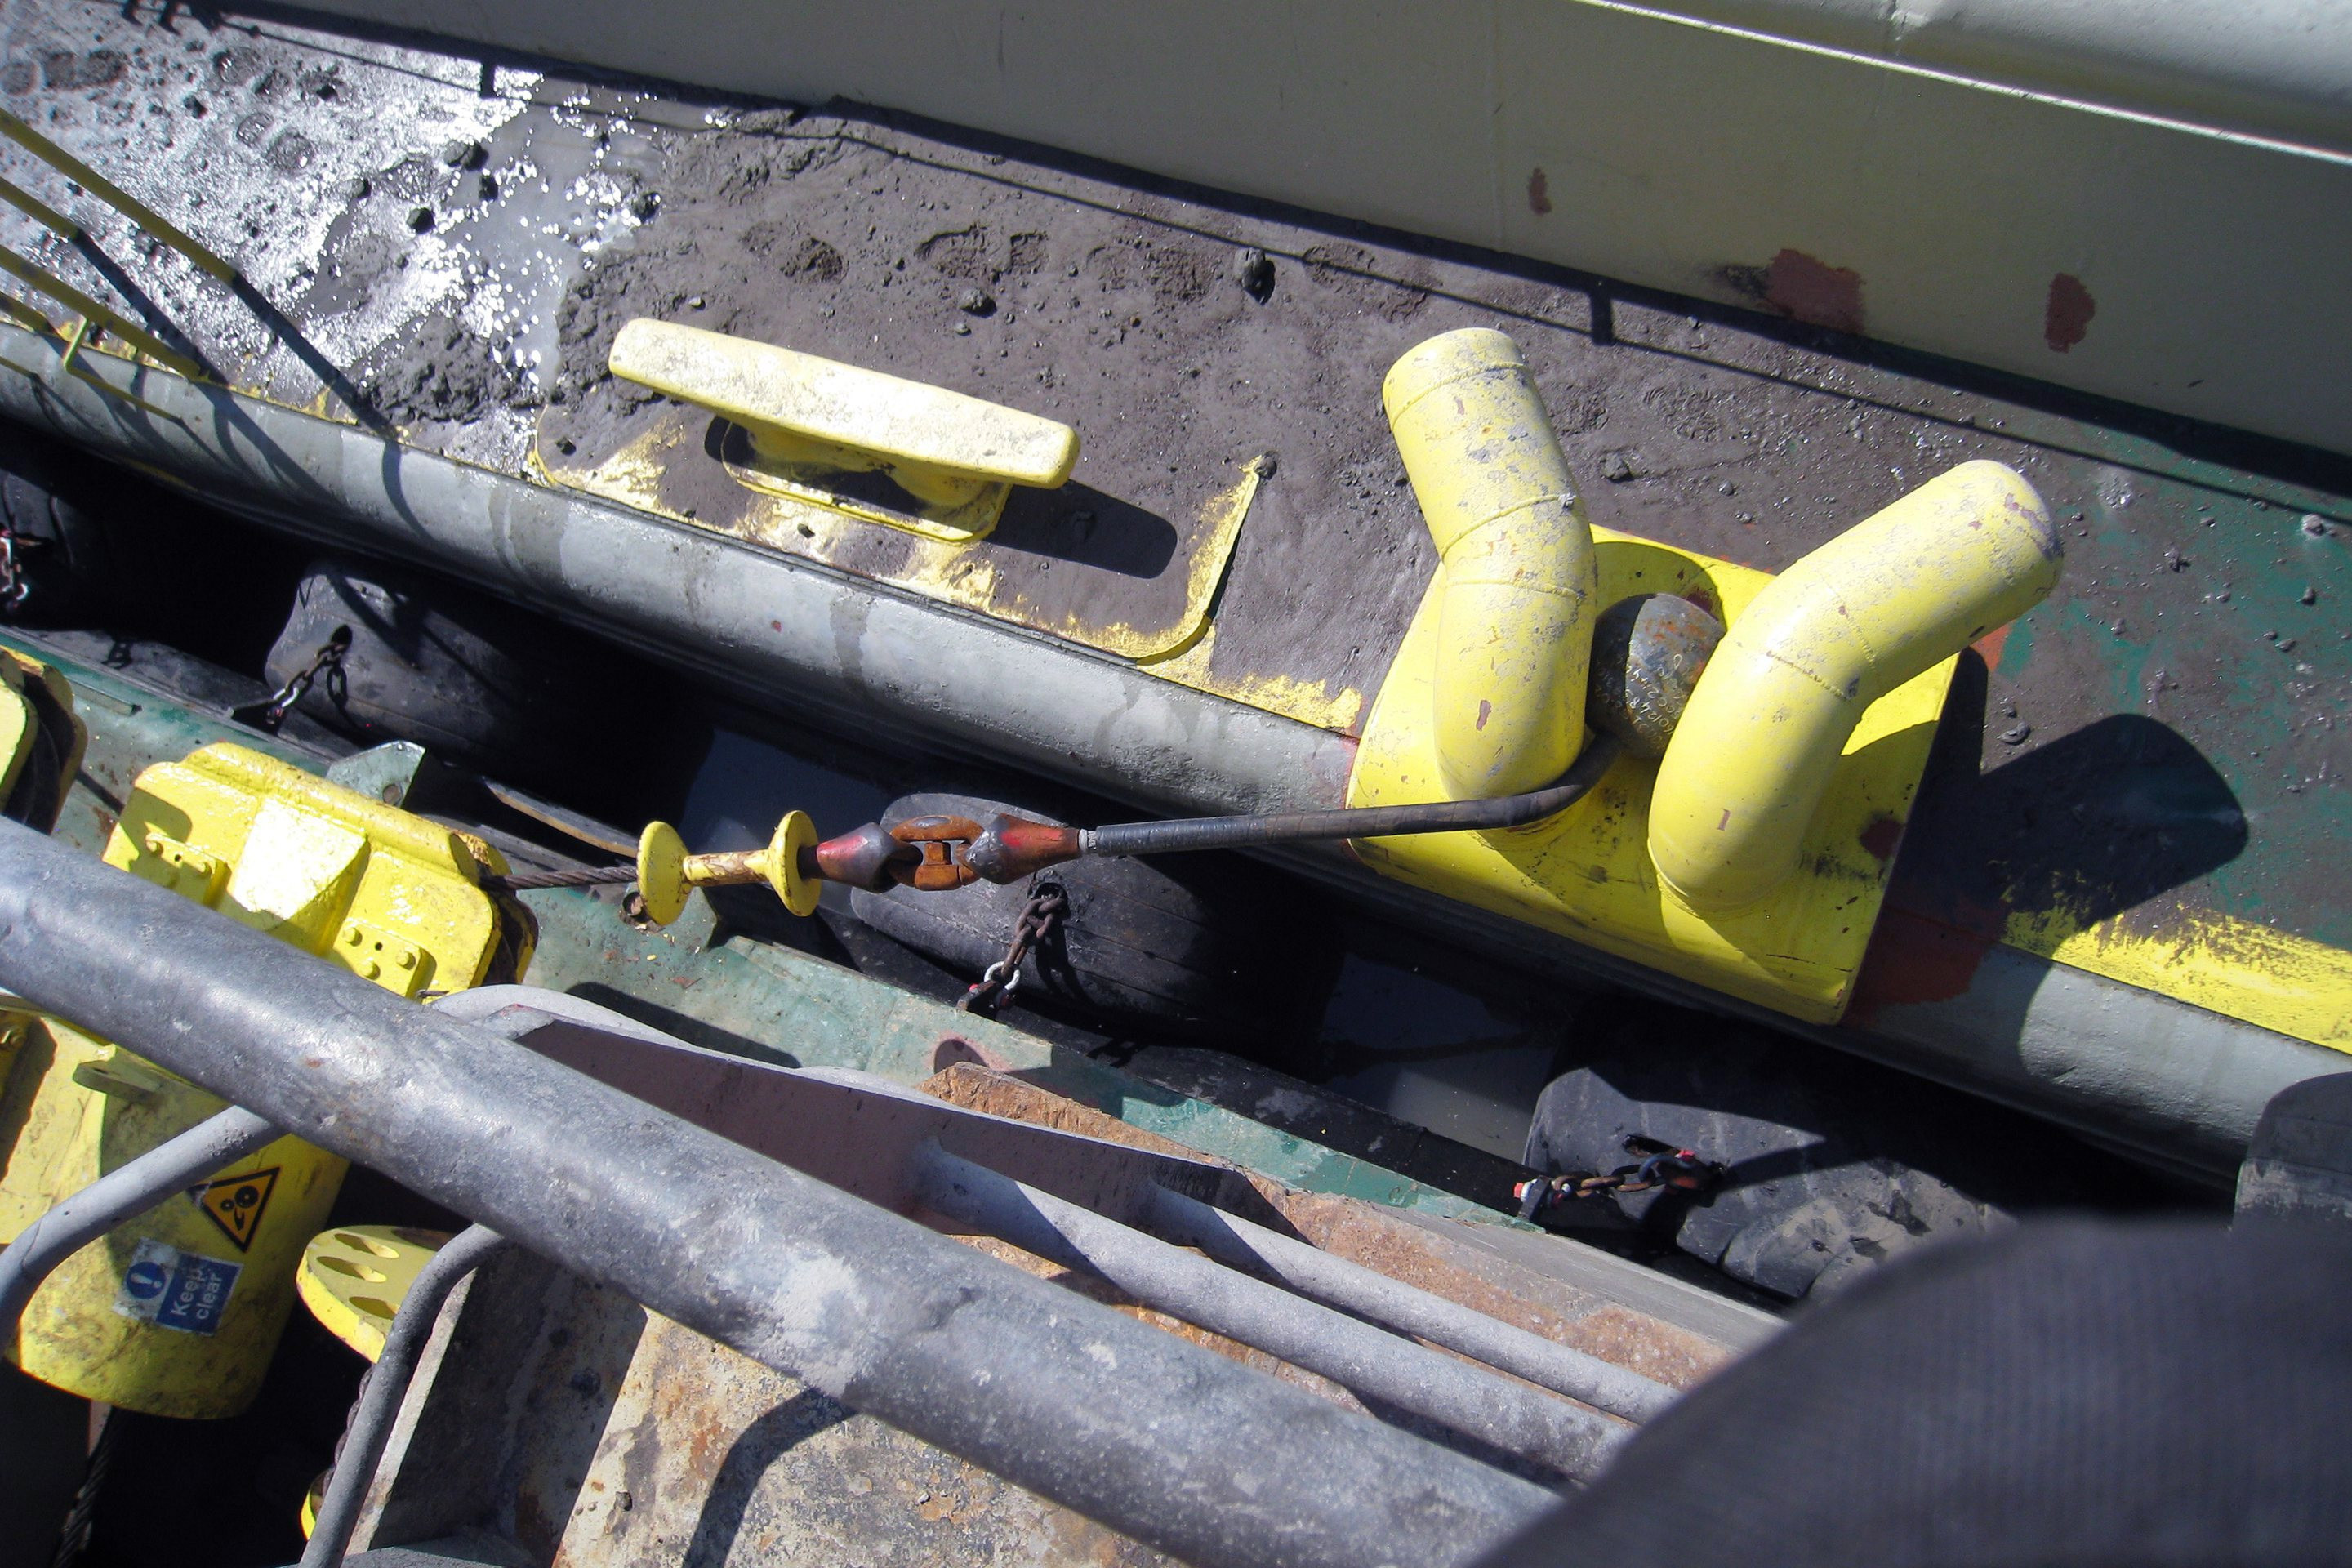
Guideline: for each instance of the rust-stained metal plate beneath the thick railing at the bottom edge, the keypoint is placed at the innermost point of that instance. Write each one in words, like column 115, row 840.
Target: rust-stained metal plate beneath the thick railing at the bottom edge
column 582, row 1430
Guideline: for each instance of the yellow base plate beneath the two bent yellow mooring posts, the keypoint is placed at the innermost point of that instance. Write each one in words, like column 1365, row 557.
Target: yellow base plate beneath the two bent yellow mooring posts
column 1586, row 873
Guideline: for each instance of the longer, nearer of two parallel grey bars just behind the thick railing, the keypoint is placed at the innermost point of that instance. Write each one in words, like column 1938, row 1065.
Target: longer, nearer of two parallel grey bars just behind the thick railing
column 1356, row 1355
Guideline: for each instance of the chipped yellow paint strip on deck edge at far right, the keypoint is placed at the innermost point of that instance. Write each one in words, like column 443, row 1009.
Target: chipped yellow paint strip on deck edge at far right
column 2219, row 963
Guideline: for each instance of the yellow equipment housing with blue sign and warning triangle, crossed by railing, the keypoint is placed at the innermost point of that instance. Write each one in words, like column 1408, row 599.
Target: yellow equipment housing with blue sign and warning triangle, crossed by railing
column 180, row 1311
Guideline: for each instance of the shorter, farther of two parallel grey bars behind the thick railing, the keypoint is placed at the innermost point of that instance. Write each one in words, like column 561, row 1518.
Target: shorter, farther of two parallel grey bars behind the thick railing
column 1351, row 1287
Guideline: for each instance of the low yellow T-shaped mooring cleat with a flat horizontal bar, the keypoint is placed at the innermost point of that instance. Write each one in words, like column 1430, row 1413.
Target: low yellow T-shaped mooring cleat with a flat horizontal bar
column 817, row 420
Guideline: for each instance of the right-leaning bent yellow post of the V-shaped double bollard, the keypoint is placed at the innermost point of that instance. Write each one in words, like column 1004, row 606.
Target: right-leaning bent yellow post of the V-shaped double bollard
column 1838, row 631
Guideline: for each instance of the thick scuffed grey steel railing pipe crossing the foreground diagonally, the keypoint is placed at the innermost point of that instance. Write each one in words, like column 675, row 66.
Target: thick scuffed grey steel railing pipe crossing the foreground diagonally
column 1154, row 1438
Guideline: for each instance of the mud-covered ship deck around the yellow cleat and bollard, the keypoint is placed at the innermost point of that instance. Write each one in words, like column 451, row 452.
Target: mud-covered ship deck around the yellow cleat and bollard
column 453, row 243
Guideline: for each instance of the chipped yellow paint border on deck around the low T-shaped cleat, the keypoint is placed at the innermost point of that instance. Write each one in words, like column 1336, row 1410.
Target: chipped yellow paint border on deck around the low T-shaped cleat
column 933, row 568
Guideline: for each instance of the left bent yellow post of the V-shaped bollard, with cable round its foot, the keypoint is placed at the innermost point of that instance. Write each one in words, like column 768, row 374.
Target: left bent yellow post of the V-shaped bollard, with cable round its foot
column 1516, row 572
